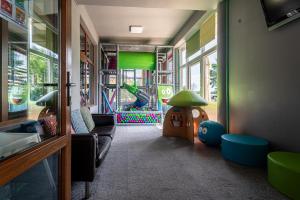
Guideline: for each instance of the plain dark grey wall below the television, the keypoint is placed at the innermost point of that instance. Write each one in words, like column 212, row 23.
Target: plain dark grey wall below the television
column 264, row 76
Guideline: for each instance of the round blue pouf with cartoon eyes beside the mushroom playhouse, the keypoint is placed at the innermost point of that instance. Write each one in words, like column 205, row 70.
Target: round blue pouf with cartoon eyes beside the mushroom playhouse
column 210, row 132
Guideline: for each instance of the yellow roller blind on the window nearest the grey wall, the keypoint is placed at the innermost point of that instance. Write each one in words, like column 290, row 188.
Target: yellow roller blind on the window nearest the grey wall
column 208, row 30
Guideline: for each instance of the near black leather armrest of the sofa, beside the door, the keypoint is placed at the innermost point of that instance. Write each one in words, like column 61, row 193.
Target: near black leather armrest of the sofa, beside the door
column 84, row 157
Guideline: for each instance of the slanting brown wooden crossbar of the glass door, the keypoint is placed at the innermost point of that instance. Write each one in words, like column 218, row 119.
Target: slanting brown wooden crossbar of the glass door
column 15, row 166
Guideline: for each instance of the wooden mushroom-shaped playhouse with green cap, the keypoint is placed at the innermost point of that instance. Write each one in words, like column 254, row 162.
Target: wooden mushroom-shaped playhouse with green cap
column 183, row 119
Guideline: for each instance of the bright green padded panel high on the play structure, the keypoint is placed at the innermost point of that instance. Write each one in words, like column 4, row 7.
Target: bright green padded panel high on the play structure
column 137, row 60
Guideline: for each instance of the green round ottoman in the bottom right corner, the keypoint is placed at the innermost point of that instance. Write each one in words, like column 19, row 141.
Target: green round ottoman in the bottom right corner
column 284, row 173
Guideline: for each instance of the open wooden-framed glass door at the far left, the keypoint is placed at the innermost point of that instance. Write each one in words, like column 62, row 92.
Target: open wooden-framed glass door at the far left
column 33, row 134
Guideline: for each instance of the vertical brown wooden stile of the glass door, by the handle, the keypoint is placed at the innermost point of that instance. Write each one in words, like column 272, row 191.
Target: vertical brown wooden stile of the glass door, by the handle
column 66, row 57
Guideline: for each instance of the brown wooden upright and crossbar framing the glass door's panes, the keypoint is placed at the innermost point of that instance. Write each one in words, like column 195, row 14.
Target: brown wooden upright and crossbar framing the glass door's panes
column 62, row 143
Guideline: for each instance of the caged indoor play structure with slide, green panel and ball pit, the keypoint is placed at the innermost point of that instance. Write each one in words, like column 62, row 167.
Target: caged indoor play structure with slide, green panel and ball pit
column 136, row 82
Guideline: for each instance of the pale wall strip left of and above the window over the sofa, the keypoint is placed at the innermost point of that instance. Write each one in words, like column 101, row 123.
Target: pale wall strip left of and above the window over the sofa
column 79, row 15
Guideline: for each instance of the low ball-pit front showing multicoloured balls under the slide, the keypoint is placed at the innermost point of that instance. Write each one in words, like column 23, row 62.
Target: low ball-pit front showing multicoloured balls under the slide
column 139, row 117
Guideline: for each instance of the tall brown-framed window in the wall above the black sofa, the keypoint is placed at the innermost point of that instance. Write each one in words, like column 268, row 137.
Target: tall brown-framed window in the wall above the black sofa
column 87, row 69
